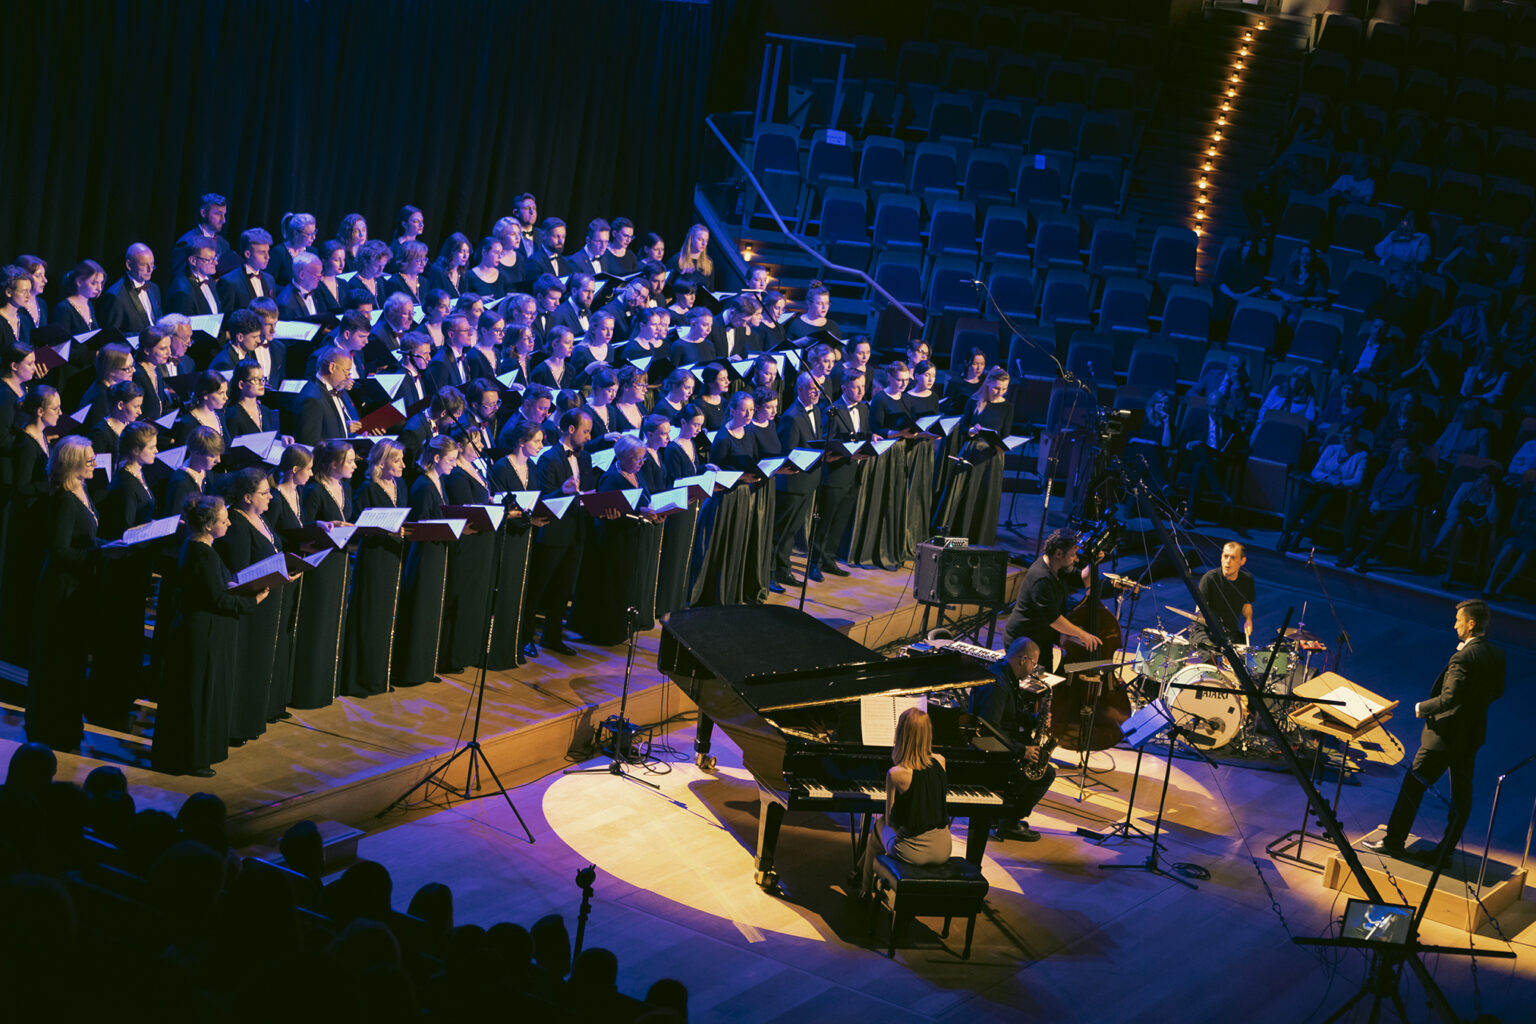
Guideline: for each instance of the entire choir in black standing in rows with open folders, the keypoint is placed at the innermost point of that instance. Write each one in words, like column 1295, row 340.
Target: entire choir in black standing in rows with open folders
column 339, row 471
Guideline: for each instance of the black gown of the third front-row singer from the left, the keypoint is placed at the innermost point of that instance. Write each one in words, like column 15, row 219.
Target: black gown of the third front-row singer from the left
column 251, row 689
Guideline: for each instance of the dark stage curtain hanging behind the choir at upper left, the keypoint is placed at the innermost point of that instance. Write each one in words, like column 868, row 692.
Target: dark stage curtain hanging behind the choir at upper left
column 122, row 113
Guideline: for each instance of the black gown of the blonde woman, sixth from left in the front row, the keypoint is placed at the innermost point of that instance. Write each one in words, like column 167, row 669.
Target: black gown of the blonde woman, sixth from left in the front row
column 369, row 644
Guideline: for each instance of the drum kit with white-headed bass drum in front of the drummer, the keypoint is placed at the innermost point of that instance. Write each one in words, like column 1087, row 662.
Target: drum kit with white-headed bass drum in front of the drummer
column 1203, row 693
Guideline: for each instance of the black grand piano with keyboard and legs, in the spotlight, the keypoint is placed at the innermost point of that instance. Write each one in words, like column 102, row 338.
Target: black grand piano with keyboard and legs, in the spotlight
column 787, row 690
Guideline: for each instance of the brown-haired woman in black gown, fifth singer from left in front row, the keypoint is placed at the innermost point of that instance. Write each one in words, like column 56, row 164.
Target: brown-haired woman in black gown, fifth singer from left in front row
column 325, row 503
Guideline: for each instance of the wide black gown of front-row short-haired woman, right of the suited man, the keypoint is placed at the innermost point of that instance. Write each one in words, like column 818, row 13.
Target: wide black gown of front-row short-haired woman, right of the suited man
column 618, row 573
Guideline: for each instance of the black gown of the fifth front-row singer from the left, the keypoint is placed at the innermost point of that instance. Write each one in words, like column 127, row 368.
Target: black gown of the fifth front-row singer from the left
column 323, row 609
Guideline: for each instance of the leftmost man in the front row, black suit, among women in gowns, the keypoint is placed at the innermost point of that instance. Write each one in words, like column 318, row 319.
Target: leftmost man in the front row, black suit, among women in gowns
column 563, row 471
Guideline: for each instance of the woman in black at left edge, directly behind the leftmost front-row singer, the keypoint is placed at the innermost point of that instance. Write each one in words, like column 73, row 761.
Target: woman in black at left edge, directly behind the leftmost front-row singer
column 30, row 454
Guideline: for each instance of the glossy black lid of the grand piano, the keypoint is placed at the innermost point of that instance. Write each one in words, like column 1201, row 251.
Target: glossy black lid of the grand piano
column 778, row 658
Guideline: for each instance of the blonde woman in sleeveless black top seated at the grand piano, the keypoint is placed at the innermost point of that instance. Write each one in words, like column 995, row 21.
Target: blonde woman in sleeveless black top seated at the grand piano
column 916, row 827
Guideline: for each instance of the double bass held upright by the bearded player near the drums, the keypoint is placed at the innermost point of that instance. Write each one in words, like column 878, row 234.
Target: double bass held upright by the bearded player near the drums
column 1090, row 709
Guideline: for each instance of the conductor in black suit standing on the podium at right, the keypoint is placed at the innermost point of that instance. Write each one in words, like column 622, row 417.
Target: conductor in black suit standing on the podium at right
column 1455, row 725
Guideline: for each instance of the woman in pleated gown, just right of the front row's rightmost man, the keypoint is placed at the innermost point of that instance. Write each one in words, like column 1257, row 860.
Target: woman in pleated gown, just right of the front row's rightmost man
column 881, row 530
